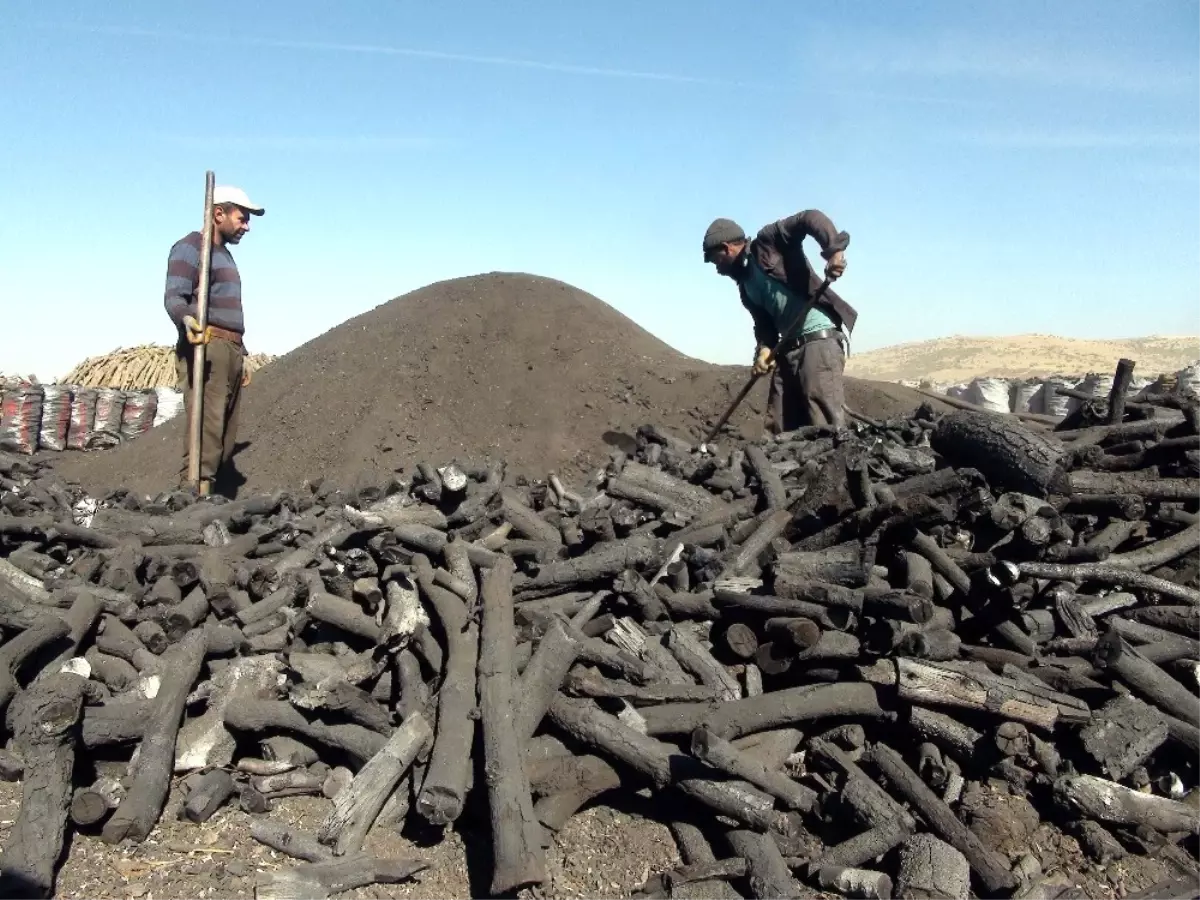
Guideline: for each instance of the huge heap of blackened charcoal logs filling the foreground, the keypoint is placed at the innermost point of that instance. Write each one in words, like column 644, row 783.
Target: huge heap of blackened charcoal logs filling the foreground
column 867, row 663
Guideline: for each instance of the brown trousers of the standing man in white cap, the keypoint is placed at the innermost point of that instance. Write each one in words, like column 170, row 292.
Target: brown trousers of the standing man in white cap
column 223, row 400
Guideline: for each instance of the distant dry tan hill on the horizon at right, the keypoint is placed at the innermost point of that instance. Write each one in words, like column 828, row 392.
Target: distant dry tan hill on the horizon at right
column 961, row 358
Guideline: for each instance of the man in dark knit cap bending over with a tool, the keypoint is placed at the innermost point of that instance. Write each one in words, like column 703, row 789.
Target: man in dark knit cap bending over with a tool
column 777, row 285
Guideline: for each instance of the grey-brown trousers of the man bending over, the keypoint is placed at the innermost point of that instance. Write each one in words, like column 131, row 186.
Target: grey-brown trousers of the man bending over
column 807, row 387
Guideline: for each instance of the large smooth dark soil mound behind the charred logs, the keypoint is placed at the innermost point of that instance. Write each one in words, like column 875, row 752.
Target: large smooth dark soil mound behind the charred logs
column 500, row 365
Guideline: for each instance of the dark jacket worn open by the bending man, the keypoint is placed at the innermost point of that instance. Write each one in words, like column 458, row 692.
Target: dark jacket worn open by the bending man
column 779, row 250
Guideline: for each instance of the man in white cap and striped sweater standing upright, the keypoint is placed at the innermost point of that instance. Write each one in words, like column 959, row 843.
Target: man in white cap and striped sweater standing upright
column 225, row 374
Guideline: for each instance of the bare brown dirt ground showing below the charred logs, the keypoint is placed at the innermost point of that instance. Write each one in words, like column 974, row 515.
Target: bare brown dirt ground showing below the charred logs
column 603, row 854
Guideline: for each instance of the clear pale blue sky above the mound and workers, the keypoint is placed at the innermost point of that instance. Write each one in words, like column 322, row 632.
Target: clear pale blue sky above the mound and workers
column 1019, row 167
